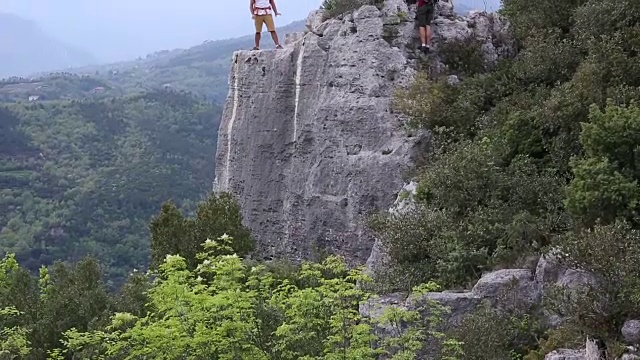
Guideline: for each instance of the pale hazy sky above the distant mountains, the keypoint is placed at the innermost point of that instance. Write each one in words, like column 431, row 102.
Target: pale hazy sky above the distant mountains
column 123, row 29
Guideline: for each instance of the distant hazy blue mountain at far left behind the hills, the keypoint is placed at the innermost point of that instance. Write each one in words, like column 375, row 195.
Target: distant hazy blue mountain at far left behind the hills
column 25, row 49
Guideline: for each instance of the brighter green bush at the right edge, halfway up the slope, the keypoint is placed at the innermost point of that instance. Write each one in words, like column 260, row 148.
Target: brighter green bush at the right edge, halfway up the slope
column 605, row 186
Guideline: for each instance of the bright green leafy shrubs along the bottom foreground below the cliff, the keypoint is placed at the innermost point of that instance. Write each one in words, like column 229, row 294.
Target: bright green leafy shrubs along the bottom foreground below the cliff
column 225, row 308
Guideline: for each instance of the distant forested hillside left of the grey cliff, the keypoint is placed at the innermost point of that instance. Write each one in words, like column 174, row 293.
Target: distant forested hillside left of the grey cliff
column 85, row 176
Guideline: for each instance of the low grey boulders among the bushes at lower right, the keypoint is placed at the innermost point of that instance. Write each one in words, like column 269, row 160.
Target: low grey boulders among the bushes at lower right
column 506, row 289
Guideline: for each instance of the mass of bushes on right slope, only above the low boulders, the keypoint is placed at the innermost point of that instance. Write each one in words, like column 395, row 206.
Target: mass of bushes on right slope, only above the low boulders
column 508, row 140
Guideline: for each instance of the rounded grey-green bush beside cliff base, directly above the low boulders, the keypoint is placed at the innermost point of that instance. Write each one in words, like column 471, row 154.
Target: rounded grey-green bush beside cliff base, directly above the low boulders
column 473, row 213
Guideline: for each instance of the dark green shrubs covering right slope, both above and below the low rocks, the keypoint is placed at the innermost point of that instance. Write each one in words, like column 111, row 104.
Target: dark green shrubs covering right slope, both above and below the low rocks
column 540, row 152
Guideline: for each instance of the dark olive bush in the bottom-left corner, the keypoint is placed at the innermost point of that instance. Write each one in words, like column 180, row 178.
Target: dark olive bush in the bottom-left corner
column 34, row 312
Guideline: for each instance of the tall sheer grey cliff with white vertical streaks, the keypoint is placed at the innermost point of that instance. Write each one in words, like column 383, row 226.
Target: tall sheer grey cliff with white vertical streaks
column 308, row 142
